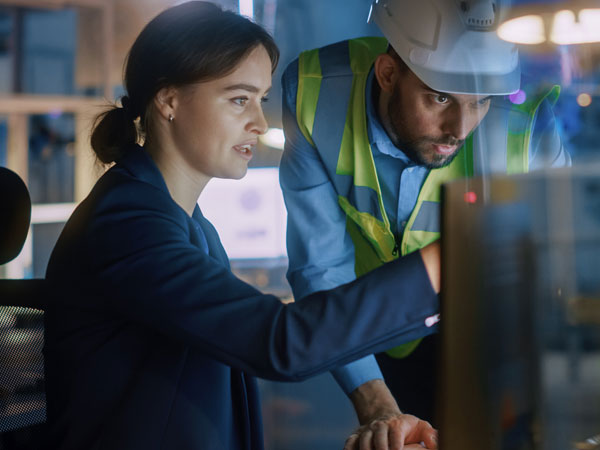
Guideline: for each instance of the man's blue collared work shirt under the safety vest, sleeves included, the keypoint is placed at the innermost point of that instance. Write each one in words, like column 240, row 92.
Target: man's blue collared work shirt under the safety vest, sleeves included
column 321, row 253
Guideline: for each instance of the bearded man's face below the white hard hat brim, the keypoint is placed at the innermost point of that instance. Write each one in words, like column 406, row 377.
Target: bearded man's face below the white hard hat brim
column 430, row 126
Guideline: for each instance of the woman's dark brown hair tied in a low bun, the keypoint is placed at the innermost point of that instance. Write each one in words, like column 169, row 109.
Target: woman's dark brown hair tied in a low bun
column 193, row 42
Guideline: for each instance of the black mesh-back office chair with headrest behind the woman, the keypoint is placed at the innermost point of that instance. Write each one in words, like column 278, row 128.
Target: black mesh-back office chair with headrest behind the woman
column 22, row 398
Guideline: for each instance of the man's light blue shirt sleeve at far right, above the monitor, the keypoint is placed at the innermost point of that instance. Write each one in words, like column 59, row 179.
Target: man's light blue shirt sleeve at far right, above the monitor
column 546, row 148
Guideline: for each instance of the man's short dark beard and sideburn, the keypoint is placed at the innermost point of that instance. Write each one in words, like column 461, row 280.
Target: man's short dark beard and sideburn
column 419, row 149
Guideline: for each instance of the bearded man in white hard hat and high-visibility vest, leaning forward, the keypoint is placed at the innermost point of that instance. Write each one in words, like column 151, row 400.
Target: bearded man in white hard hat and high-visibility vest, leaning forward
column 373, row 128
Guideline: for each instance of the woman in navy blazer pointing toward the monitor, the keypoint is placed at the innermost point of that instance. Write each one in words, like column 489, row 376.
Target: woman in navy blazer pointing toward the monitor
column 154, row 343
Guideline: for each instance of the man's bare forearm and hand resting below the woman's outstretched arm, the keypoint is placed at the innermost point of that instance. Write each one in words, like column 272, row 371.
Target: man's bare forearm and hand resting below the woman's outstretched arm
column 383, row 426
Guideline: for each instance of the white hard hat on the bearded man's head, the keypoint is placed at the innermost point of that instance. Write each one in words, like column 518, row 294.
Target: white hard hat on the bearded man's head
column 451, row 45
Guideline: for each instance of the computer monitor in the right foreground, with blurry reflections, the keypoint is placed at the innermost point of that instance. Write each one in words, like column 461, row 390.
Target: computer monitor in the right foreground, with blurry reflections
column 520, row 353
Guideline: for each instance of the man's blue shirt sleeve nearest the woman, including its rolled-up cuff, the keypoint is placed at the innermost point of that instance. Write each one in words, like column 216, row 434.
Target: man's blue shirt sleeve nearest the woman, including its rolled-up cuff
column 320, row 251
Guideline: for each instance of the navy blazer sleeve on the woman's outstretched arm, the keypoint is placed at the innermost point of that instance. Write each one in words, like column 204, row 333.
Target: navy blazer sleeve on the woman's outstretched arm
column 139, row 256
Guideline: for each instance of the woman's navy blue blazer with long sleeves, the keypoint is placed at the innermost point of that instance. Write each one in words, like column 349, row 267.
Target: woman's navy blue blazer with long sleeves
column 153, row 343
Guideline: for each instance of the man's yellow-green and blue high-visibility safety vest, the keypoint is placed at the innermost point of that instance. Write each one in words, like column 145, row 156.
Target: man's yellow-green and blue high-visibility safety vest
column 331, row 113
